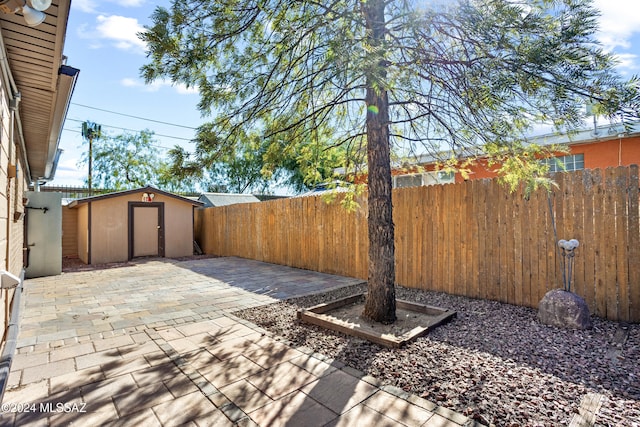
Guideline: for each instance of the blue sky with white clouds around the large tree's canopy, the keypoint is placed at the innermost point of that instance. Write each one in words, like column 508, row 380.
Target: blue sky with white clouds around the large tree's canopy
column 101, row 41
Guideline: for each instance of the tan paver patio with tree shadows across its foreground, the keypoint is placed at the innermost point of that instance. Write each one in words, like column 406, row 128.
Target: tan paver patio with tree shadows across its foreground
column 155, row 344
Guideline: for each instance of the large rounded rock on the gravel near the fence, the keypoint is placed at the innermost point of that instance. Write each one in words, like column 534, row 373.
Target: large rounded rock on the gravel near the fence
column 564, row 310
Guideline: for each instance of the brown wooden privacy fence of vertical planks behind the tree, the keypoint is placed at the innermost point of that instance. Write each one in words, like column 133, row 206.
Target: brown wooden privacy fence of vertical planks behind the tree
column 473, row 238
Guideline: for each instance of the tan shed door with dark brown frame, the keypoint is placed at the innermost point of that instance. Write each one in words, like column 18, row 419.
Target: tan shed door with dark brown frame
column 147, row 229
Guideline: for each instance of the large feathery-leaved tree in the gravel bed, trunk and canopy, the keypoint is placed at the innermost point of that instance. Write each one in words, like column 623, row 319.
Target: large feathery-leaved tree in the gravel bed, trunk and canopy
column 455, row 77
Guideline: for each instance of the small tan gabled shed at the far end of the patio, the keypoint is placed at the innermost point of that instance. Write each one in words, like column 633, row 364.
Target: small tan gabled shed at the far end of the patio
column 120, row 226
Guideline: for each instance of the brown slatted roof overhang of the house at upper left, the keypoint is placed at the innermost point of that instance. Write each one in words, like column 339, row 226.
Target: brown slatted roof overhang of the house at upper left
column 33, row 58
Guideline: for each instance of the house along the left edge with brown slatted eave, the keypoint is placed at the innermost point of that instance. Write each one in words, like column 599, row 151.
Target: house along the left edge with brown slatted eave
column 35, row 91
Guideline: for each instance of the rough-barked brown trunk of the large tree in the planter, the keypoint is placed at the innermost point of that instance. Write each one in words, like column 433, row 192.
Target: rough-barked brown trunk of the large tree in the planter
column 380, row 305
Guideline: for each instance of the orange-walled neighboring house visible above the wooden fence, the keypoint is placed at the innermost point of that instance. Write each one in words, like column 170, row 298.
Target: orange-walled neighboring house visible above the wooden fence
column 597, row 148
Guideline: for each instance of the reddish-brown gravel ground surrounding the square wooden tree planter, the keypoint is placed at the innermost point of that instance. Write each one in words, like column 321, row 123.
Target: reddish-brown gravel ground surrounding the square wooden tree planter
column 494, row 363
